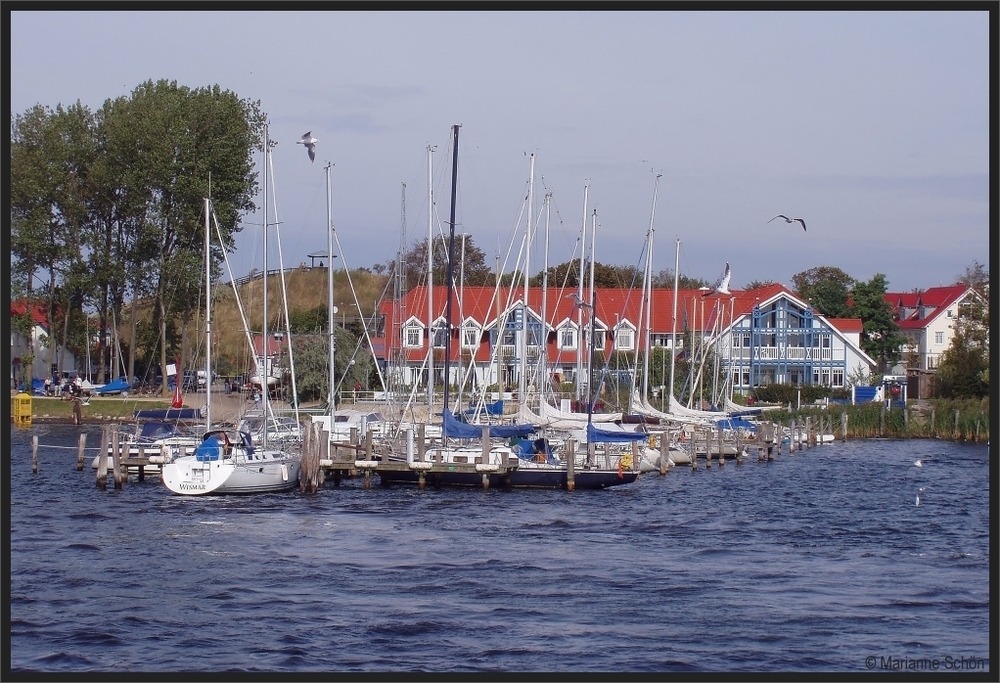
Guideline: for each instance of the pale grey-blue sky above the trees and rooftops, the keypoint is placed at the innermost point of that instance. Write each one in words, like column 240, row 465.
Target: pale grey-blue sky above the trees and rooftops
column 873, row 127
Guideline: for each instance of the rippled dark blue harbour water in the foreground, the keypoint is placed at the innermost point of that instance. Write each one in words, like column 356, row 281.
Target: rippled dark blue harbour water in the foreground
column 813, row 562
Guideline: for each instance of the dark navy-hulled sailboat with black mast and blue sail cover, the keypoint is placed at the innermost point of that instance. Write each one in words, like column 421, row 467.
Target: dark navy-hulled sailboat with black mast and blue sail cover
column 535, row 464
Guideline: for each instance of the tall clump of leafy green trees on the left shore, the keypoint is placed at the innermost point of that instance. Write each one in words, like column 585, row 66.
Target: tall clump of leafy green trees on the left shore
column 107, row 206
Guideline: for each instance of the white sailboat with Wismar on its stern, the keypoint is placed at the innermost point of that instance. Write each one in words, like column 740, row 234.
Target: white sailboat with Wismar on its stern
column 227, row 461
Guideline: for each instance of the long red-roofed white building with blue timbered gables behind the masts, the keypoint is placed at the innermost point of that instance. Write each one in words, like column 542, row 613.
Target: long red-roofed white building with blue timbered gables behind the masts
column 762, row 336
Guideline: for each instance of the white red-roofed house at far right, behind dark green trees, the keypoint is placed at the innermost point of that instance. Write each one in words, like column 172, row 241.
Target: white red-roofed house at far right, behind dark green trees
column 928, row 319
